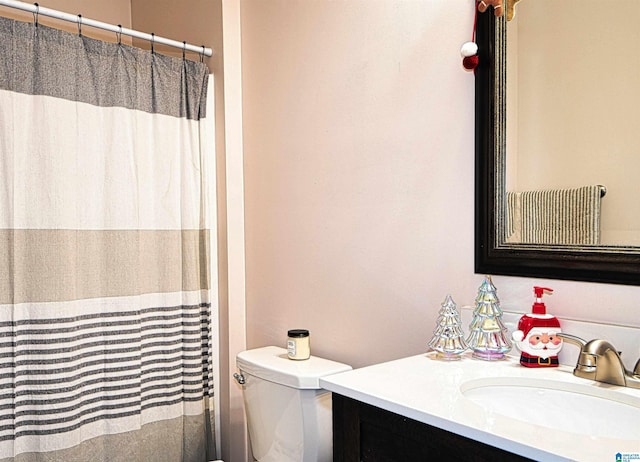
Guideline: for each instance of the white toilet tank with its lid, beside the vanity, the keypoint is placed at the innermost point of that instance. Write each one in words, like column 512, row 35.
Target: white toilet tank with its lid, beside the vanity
column 288, row 414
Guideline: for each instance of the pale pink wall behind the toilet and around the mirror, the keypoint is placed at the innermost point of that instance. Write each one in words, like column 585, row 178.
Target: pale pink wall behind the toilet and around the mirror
column 358, row 145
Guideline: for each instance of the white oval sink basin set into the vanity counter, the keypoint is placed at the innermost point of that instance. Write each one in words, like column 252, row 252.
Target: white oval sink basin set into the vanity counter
column 588, row 410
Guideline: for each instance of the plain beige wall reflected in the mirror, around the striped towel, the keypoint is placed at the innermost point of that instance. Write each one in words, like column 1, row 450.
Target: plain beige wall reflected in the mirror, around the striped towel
column 577, row 103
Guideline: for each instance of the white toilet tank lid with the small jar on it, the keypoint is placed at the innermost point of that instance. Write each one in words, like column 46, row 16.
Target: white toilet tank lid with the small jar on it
column 272, row 363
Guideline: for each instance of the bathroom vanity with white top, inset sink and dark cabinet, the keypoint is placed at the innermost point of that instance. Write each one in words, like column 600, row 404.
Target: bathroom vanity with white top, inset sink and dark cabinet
column 420, row 408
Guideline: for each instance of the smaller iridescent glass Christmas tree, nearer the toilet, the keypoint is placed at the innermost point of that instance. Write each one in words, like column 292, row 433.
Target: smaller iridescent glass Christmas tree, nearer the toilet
column 448, row 338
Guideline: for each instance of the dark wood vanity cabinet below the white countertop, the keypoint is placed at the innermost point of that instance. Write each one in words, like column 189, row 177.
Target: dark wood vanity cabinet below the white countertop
column 362, row 432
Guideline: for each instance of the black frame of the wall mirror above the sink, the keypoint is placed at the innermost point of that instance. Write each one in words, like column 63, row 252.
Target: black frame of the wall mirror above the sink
column 606, row 264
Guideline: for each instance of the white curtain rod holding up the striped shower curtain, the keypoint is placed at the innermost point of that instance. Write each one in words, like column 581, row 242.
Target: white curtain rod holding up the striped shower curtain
column 82, row 21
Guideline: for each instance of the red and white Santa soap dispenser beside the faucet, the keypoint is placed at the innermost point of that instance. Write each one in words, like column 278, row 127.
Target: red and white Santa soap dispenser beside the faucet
column 536, row 337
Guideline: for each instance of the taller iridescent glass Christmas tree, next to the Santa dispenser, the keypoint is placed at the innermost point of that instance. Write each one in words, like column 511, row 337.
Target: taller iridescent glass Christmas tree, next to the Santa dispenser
column 488, row 337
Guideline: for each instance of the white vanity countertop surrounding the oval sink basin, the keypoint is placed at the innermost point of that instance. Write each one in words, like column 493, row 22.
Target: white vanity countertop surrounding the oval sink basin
column 429, row 391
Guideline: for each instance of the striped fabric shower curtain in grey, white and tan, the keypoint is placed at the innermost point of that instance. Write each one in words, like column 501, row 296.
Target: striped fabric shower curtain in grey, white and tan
column 106, row 316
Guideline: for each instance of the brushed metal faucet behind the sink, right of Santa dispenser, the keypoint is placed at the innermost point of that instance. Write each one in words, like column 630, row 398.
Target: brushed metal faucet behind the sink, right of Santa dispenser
column 599, row 361
